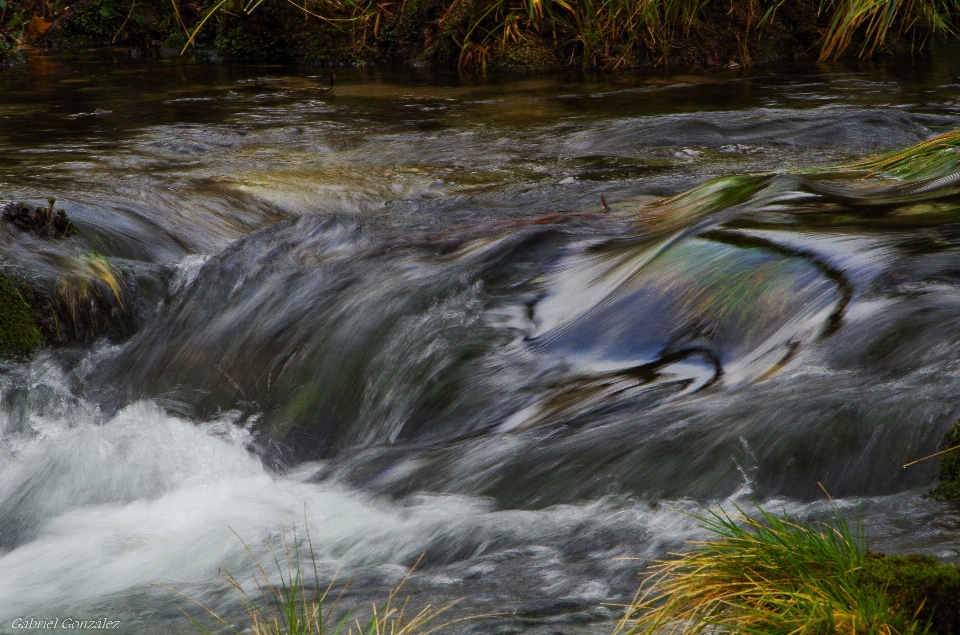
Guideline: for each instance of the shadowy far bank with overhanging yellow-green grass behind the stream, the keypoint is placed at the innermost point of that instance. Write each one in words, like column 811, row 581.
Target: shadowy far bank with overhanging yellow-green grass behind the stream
column 481, row 34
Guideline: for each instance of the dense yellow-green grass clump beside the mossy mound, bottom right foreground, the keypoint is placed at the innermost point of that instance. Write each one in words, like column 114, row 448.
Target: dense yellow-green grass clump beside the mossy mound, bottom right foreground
column 770, row 575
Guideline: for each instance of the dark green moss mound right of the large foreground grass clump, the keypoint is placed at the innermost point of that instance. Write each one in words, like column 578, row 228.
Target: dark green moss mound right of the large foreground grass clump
column 918, row 585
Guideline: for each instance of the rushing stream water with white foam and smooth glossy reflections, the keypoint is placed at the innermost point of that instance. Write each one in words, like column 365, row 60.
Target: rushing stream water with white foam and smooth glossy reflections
column 398, row 313
